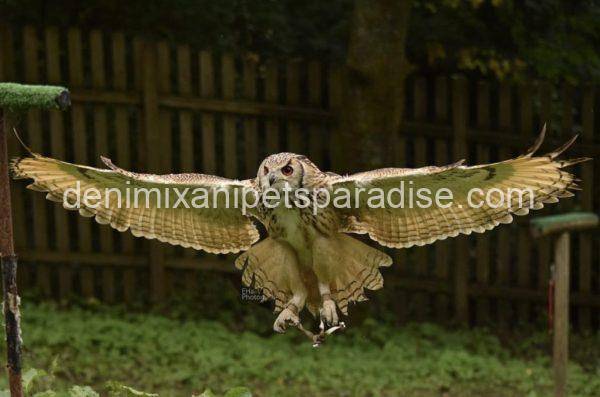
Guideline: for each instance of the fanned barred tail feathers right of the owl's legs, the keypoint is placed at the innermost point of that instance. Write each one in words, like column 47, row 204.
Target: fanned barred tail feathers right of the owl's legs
column 352, row 267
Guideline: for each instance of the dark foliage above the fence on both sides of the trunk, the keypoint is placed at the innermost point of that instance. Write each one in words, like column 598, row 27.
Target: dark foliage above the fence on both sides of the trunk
column 548, row 39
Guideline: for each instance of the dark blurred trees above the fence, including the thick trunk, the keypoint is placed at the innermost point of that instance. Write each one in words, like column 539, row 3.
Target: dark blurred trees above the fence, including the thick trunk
column 380, row 42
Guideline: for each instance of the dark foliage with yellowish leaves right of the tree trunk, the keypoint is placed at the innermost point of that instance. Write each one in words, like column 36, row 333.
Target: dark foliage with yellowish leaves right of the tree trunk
column 549, row 39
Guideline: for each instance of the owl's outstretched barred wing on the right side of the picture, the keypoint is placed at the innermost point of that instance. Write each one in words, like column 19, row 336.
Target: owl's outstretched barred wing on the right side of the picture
column 408, row 226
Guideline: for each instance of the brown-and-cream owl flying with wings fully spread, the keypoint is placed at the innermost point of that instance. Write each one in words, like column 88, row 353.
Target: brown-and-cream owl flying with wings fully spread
column 308, row 258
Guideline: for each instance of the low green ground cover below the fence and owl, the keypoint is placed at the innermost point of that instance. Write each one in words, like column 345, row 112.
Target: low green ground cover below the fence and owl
column 175, row 357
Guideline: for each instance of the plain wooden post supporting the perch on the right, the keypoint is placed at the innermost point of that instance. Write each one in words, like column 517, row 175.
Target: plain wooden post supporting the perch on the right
column 561, row 314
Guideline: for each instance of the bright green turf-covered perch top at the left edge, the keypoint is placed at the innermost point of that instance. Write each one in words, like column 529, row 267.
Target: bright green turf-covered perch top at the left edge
column 16, row 97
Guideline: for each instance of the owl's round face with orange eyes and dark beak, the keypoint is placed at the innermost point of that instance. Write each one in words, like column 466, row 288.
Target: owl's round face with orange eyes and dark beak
column 280, row 170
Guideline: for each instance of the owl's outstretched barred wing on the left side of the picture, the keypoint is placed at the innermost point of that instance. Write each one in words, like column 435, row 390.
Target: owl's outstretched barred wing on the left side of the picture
column 212, row 228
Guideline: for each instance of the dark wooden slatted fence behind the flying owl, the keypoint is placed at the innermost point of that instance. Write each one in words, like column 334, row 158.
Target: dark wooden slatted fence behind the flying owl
column 154, row 106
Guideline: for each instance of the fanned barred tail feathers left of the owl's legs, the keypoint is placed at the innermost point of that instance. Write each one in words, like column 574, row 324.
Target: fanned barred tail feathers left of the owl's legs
column 263, row 268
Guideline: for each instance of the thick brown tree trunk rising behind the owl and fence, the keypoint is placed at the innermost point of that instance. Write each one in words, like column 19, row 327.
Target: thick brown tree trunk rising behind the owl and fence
column 374, row 83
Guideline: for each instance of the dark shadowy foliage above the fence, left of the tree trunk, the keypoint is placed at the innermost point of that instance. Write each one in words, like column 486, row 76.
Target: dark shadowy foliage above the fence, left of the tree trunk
column 266, row 27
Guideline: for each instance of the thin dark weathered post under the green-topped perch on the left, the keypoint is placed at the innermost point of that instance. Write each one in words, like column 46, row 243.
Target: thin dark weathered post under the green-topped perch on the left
column 9, row 274
